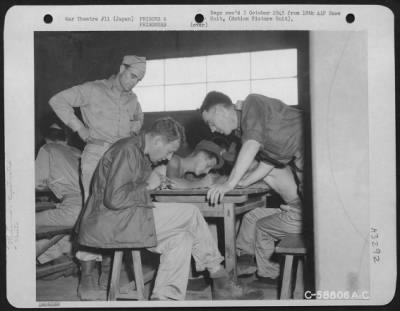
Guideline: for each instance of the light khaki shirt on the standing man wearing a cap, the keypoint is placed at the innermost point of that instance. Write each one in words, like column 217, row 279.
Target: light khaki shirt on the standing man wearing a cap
column 108, row 113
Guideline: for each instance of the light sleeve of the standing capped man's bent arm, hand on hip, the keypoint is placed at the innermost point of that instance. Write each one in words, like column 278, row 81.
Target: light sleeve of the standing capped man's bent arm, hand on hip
column 63, row 104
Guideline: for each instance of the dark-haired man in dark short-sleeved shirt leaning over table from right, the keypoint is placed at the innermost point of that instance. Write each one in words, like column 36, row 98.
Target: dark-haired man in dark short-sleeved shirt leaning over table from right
column 271, row 133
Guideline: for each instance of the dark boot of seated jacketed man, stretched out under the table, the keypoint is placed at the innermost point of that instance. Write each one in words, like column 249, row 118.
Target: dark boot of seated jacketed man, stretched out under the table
column 223, row 287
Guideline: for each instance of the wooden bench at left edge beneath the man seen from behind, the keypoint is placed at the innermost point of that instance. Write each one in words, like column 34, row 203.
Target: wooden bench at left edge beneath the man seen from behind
column 53, row 234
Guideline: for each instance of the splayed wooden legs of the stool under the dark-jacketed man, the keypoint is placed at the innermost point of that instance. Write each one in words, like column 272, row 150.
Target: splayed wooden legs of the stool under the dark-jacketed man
column 134, row 289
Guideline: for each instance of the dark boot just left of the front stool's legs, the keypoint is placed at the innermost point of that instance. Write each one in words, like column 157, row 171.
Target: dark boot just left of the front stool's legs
column 88, row 289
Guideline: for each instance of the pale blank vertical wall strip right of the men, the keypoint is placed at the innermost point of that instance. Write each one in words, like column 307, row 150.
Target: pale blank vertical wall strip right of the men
column 340, row 157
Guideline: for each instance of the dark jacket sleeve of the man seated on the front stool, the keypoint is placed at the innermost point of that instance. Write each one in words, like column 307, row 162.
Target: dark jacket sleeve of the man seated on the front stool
column 122, row 188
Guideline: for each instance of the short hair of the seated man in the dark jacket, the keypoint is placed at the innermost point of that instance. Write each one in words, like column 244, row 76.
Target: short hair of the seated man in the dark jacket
column 170, row 129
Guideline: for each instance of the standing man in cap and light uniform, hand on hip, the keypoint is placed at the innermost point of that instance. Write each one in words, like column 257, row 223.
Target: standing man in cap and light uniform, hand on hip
column 110, row 111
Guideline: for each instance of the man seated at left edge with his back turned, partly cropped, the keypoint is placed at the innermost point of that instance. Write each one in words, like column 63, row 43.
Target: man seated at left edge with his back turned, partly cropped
column 57, row 170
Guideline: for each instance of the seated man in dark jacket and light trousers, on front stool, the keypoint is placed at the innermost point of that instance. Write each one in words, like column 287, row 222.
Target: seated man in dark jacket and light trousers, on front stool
column 121, row 214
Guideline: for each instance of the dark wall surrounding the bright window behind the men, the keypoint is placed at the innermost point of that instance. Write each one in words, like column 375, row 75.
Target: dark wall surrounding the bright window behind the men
column 65, row 59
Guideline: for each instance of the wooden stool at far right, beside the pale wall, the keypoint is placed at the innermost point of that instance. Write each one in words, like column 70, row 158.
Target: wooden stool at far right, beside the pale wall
column 294, row 250
